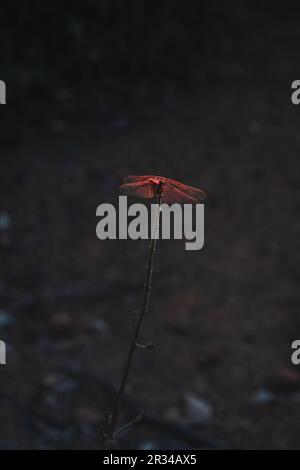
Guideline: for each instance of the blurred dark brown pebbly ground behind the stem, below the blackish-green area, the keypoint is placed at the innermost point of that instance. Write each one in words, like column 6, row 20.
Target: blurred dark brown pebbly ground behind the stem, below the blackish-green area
column 222, row 319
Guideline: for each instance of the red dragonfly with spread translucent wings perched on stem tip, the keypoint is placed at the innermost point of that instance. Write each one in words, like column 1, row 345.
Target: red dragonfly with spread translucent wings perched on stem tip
column 173, row 191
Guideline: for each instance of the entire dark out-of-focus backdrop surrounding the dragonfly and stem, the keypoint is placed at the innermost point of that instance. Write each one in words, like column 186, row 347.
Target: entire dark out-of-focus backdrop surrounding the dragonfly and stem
column 198, row 91
